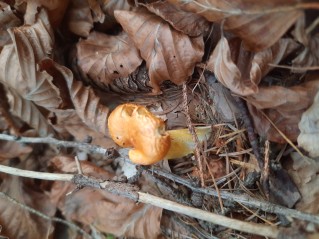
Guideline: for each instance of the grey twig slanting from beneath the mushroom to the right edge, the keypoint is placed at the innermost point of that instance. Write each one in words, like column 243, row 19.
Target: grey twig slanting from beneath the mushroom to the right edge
column 243, row 199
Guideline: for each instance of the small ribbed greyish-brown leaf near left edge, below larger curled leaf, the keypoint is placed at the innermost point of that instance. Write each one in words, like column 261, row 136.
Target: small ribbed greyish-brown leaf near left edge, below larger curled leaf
column 29, row 113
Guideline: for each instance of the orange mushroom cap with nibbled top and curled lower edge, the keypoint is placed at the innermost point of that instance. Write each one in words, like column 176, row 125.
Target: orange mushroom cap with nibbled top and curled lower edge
column 131, row 125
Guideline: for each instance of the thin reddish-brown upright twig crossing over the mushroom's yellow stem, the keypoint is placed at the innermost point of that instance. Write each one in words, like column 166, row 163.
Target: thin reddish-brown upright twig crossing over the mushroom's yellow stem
column 193, row 133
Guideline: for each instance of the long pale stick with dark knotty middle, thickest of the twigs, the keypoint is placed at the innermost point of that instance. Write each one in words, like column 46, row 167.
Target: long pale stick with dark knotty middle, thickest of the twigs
column 248, row 227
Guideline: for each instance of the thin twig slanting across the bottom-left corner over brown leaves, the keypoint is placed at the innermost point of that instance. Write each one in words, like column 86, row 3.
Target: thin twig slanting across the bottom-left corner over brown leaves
column 40, row 214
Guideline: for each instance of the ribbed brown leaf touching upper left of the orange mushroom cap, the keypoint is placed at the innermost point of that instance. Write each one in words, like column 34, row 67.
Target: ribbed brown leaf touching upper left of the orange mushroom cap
column 87, row 104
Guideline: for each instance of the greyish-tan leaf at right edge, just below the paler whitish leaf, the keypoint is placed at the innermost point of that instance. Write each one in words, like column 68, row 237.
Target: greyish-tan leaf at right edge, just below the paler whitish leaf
column 304, row 171
